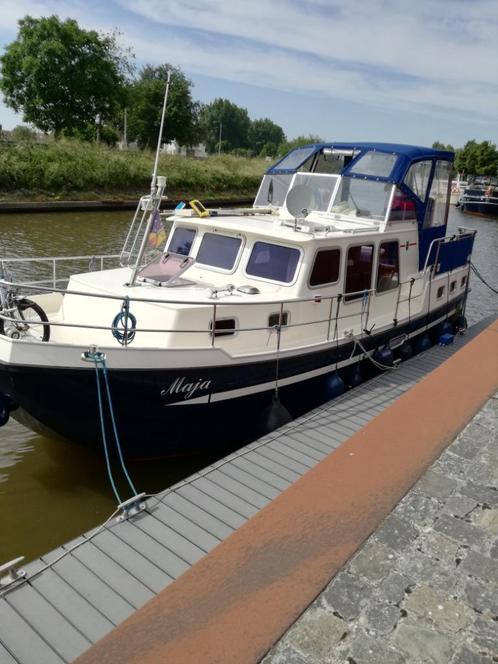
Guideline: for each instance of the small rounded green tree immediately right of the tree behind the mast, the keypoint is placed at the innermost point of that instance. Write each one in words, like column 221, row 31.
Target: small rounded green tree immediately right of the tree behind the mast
column 232, row 120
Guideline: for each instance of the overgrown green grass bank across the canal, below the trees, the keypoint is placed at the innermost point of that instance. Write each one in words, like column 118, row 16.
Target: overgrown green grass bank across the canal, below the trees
column 72, row 170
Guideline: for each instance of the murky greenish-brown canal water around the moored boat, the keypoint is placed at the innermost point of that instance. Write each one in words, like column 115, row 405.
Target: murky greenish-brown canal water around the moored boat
column 52, row 491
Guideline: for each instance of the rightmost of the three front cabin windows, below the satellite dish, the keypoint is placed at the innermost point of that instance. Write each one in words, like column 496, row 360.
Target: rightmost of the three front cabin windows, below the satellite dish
column 272, row 261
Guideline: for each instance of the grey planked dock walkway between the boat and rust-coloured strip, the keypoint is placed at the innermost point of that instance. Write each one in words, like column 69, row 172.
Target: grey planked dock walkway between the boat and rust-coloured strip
column 76, row 594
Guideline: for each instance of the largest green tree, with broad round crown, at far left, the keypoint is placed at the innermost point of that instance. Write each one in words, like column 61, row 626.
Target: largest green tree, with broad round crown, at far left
column 62, row 77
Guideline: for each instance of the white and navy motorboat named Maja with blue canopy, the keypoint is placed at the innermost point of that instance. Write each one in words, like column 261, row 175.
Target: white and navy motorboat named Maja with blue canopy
column 342, row 263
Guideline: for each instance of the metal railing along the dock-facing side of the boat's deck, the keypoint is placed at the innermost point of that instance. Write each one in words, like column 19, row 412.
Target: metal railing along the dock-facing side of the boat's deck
column 338, row 313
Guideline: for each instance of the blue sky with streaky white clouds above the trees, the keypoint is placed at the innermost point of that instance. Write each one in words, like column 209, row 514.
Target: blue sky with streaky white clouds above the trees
column 384, row 70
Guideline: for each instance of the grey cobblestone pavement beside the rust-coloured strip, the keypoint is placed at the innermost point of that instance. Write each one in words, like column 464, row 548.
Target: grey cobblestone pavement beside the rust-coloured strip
column 423, row 589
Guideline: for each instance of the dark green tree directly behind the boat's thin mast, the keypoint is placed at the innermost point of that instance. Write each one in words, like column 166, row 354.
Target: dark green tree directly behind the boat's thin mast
column 145, row 103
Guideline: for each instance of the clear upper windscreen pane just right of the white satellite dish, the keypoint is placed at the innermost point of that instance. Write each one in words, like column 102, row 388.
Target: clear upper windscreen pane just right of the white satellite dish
column 362, row 198
